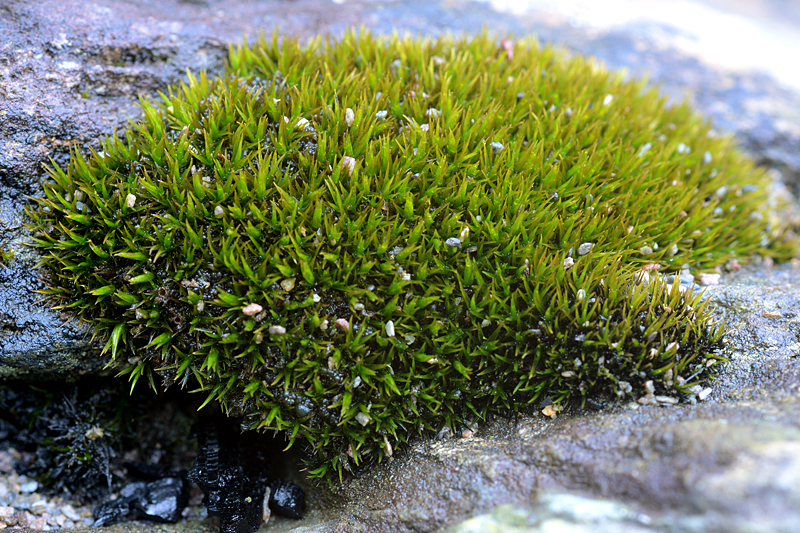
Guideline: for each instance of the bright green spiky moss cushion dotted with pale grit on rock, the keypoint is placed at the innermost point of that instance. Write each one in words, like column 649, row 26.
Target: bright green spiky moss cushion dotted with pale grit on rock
column 361, row 240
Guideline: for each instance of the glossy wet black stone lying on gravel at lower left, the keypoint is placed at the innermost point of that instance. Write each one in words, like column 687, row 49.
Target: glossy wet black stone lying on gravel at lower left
column 162, row 500
